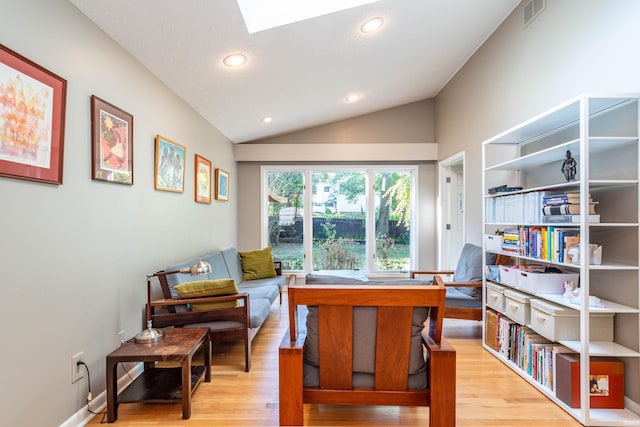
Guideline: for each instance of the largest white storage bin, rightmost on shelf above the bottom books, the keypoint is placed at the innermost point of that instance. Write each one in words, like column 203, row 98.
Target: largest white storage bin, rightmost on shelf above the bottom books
column 559, row 323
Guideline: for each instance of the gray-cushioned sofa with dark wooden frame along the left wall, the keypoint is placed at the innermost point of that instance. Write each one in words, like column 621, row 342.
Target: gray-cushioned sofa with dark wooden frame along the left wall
column 226, row 264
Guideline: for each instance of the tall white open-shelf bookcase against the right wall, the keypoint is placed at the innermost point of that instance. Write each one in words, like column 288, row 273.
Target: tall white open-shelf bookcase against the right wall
column 602, row 133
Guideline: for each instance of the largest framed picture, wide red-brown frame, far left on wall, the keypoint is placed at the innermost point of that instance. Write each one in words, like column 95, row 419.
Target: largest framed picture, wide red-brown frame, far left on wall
column 32, row 114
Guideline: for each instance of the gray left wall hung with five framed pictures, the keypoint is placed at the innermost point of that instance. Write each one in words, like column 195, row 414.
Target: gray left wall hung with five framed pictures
column 74, row 257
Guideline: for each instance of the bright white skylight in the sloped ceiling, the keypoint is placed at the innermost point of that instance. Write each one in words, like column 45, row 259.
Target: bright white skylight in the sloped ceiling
column 262, row 15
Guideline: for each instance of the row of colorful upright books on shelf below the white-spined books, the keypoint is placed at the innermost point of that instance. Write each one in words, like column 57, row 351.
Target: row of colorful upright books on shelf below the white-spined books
column 549, row 243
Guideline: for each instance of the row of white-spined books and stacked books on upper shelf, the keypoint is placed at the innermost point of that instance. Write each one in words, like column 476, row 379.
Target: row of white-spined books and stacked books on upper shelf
column 536, row 207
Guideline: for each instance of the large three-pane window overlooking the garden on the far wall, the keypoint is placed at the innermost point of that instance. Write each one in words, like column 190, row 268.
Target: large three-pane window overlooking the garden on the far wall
column 358, row 218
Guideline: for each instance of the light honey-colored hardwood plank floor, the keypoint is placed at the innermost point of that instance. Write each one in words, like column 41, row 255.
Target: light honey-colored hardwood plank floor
column 488, row 393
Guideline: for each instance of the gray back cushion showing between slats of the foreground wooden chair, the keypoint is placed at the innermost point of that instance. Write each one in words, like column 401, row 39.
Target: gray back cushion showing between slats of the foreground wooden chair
column 364, row 339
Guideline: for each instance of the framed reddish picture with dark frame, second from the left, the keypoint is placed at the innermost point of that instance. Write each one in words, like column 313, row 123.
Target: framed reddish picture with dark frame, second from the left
column 111, row 143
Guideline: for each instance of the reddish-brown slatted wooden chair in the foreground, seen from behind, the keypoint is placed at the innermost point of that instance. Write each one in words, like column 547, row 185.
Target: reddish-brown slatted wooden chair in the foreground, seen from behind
column 336, row 305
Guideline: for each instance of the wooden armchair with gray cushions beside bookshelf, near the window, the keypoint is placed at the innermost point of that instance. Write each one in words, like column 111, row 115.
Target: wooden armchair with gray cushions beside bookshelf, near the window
column 460, row 304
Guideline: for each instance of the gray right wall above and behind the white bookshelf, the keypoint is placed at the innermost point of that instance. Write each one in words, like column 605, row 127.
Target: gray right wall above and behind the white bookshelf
column 574, row 46
